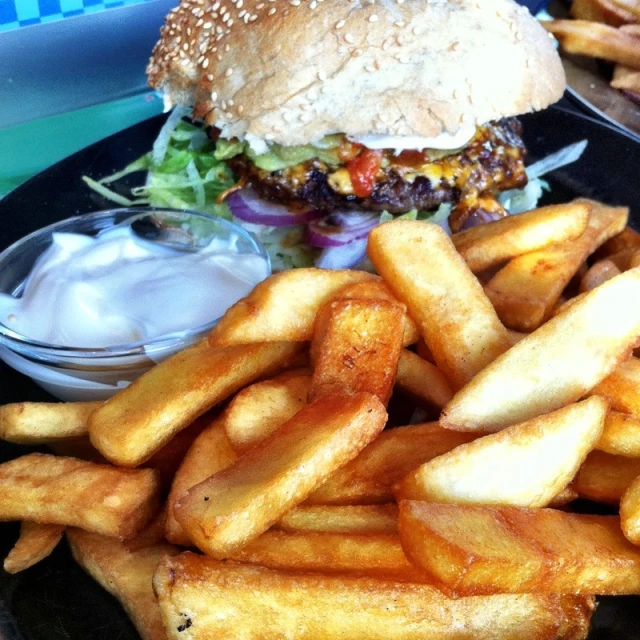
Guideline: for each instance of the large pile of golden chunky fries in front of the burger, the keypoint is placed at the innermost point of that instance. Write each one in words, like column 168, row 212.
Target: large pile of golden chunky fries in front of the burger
column 254, row 486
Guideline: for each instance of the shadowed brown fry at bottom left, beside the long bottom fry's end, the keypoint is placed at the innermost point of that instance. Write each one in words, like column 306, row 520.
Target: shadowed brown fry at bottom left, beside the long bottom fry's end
column 124, row 574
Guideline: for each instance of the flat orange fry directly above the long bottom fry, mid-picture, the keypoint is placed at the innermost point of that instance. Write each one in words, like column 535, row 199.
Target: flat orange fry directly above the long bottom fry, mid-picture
column 376, row 555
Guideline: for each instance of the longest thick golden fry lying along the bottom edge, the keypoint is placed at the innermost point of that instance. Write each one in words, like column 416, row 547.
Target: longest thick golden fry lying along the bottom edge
column 202, row 598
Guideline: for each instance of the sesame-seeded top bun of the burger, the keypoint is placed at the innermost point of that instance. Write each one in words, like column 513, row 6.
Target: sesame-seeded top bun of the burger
column 293, row 71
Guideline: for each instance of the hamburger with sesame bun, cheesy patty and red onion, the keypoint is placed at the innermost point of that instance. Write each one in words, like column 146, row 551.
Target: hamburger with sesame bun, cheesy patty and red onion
column 335, row 114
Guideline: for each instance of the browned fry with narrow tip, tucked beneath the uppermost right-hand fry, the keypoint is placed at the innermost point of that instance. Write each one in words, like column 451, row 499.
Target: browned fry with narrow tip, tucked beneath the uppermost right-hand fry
column 527, row 289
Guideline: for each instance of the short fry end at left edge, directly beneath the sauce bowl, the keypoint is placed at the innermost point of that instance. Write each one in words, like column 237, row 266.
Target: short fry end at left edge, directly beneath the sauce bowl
column 42, row 422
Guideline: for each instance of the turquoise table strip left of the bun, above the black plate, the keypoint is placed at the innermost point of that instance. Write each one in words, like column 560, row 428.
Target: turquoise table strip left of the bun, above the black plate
column 31, row 147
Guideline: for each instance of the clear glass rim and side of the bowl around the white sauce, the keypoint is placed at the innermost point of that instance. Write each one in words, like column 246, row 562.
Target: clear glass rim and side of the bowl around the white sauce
column 44, row 351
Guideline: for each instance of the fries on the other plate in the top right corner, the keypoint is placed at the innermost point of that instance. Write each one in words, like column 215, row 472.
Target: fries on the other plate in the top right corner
column 605, row 29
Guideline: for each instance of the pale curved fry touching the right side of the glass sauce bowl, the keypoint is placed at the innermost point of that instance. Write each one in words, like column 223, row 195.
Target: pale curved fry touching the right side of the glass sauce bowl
column 282, row 307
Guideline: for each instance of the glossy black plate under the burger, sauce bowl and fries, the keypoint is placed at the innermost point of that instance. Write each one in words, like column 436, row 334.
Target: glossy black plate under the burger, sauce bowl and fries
column 55, row 599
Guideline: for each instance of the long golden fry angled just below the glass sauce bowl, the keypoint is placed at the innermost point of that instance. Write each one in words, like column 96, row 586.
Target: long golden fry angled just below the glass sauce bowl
column 130, row 427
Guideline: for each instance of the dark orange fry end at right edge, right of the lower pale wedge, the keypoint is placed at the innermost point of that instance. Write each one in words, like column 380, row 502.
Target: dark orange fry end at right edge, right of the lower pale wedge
column 604, row 477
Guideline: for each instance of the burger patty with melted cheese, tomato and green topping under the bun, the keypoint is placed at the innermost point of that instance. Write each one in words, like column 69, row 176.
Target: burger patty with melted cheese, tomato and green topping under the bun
column 338, row 174
